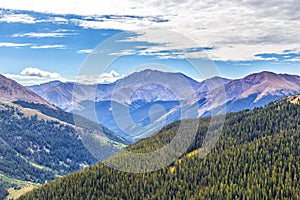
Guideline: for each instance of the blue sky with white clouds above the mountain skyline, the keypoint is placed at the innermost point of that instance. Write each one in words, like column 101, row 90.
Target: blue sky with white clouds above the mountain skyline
column 96, row 41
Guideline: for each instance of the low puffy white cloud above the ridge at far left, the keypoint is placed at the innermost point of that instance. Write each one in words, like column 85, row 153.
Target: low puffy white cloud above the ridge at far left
column 32, row 76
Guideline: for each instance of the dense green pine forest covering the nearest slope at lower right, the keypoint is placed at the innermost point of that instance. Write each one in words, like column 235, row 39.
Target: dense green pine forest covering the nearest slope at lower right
column 257, row 157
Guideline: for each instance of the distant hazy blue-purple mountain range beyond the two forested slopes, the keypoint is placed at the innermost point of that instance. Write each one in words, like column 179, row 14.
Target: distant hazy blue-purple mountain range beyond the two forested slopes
column 125, row 105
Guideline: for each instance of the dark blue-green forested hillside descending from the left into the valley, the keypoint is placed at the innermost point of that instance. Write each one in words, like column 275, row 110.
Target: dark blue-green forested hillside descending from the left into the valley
column 38, row 143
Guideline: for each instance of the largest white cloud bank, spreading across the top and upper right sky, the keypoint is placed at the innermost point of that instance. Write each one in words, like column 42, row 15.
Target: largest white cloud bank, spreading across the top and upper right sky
column 238, row 30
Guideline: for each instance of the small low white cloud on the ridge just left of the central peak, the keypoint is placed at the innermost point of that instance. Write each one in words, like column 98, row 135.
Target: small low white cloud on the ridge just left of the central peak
column 104, row 78
